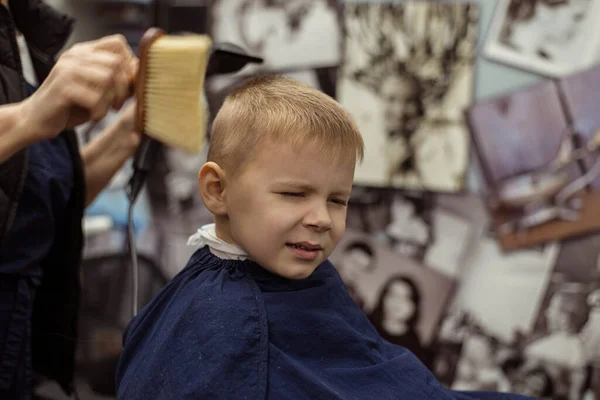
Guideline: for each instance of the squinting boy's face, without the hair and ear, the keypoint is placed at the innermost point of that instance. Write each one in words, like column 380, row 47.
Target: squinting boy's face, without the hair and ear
column 288, row 209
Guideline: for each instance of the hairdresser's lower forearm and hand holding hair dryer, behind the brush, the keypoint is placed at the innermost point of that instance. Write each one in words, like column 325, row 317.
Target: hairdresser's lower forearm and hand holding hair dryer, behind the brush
column 107, row 153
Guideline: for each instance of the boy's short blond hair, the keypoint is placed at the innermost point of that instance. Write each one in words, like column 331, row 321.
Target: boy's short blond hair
column 280, row 109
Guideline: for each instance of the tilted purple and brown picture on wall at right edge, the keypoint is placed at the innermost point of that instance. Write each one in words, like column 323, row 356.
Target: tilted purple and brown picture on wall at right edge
column 539, row 151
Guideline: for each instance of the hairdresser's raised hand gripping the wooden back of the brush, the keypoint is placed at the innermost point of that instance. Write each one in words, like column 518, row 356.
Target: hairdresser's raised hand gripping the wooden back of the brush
column 87, row 81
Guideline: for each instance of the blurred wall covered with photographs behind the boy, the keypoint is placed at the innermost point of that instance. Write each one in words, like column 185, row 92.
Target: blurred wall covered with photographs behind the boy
column 473, row 233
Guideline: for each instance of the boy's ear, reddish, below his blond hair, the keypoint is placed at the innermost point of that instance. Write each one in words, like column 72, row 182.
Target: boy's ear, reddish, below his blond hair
column 211, row 183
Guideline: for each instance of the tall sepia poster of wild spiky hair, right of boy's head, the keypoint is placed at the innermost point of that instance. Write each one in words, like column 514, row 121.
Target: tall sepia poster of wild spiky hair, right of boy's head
column 407, row 76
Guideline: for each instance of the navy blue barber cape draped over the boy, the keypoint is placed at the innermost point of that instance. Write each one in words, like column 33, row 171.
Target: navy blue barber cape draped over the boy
column 225, row 329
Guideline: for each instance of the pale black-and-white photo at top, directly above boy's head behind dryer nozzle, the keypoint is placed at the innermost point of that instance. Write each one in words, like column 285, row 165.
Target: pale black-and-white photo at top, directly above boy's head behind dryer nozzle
column 287, row 34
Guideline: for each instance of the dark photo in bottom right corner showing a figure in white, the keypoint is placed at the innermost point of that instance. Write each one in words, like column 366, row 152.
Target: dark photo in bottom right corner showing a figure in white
column 564, row 346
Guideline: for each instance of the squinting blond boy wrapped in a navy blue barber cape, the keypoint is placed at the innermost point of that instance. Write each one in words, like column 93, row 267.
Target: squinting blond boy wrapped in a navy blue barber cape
column 259, row 312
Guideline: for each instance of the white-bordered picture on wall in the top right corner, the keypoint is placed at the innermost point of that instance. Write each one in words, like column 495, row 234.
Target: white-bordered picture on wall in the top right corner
column 549, row 37
